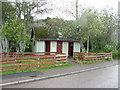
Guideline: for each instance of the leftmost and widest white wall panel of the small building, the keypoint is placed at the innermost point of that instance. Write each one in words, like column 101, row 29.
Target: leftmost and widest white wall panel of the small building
column 39, row 46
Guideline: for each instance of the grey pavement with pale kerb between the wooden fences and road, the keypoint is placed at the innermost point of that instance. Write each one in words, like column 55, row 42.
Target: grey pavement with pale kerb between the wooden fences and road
column 51, row 73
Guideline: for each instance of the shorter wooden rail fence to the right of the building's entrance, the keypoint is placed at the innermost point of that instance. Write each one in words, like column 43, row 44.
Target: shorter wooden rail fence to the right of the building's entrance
column 93, row 56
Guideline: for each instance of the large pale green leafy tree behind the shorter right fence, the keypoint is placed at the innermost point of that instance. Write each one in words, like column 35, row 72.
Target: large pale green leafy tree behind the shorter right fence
column 100, row 29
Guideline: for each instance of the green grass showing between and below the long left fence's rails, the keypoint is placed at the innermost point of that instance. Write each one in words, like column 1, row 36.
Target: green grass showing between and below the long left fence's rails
column 29, row 70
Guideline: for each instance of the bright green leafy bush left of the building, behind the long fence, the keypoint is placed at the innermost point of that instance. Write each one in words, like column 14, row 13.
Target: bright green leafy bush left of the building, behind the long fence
column 15, row 33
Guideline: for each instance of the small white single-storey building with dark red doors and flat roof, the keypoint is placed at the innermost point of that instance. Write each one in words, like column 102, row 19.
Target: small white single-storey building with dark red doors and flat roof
column 56, row 45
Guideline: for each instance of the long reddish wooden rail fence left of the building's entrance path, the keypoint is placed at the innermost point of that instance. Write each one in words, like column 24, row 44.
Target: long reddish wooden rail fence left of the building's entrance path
column 24, row 61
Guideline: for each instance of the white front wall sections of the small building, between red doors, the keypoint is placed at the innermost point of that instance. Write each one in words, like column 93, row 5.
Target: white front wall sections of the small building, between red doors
column 40, row 47
